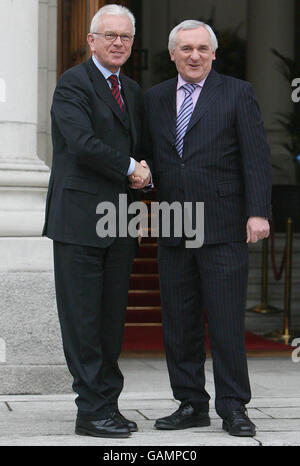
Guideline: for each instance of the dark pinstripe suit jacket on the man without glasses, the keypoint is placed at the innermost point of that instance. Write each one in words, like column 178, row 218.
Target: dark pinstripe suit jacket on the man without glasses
column 226, row 157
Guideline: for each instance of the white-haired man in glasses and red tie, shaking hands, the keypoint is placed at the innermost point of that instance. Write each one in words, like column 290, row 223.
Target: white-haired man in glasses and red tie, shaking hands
column 96, row 115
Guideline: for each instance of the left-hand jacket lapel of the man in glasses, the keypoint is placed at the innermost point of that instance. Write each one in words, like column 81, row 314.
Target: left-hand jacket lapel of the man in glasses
column 102, row 89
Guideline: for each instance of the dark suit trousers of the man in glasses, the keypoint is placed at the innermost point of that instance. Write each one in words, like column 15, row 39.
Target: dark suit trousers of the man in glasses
column 92, row 293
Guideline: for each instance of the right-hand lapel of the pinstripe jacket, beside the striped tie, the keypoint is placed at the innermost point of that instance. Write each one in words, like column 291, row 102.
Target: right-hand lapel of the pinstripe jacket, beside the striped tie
column 210, row 92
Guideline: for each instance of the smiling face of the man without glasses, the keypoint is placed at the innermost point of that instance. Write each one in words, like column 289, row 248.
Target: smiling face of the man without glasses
column 193, row 54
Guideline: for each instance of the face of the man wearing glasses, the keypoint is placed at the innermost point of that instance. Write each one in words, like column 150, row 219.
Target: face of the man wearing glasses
column 112, row 54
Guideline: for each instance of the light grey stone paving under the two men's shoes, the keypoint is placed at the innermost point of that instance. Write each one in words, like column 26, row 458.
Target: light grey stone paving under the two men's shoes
column 48, row 420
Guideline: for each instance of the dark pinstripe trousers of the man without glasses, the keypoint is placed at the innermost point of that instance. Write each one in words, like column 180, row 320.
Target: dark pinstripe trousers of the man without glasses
column 214, row 276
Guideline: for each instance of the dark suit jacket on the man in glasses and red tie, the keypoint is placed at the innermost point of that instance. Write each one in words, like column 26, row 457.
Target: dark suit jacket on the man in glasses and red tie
column 91, row 148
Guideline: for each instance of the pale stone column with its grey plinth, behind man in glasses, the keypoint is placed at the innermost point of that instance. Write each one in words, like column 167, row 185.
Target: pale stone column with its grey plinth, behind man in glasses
column 31, row 357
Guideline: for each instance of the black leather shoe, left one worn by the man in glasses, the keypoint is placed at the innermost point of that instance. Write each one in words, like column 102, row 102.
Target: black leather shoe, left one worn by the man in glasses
column 102, row 428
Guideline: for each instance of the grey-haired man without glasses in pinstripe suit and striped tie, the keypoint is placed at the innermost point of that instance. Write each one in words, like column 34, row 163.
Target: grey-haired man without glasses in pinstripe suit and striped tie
column 205, row 142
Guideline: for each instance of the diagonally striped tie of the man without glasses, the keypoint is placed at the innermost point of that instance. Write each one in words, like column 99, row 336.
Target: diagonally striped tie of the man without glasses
column 184, row 116
